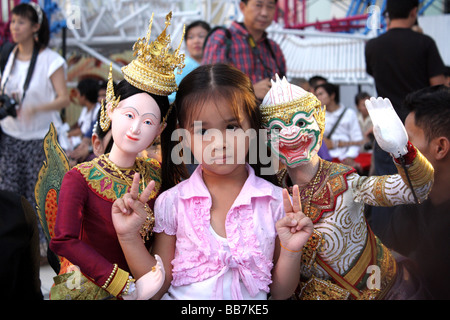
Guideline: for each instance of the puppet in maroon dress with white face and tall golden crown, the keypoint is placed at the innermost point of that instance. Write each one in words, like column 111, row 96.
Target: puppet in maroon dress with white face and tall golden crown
column 87, row 231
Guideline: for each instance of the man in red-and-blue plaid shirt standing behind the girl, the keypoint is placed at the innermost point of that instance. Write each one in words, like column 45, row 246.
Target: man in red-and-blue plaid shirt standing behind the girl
column 246, row 45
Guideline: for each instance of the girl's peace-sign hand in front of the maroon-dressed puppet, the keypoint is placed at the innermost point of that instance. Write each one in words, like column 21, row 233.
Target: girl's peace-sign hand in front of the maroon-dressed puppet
column 128, row 212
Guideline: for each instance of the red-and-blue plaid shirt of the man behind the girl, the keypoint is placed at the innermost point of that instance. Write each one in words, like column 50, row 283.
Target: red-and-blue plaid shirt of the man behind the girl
column 264, row 63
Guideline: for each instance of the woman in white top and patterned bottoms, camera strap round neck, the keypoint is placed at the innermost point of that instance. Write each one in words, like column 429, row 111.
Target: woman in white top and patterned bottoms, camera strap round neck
column 24, row 126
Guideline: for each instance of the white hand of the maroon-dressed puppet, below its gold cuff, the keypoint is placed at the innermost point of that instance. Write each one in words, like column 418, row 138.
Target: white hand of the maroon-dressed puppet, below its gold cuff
column 149, row 284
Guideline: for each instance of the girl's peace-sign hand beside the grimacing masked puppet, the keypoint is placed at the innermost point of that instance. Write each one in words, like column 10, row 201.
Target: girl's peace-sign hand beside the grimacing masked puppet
column 295, row 228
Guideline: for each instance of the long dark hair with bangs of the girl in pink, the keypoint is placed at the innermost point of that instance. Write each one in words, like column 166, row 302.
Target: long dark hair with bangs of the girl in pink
column 209, row 83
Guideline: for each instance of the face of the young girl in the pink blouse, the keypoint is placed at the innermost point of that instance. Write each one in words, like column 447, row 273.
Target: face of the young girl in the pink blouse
column 218, row 140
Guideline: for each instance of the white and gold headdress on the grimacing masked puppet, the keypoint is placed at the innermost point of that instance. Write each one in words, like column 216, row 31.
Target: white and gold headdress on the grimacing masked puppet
column 284, row 100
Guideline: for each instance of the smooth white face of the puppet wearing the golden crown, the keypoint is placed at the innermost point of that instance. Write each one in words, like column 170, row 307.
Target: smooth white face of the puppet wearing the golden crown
column 135, row 123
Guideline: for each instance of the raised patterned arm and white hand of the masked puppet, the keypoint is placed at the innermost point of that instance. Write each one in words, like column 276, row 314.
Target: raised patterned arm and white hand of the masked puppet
column 415, row 173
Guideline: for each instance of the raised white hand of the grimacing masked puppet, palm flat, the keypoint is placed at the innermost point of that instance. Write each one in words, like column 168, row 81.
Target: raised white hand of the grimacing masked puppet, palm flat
column 388, row 129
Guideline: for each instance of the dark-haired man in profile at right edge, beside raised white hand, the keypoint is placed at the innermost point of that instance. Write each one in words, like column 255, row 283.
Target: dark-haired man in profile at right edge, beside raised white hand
column 422, row 232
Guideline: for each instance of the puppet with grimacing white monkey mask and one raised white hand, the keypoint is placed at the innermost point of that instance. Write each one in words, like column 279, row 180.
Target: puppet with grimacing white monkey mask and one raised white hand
column 339, row 259
